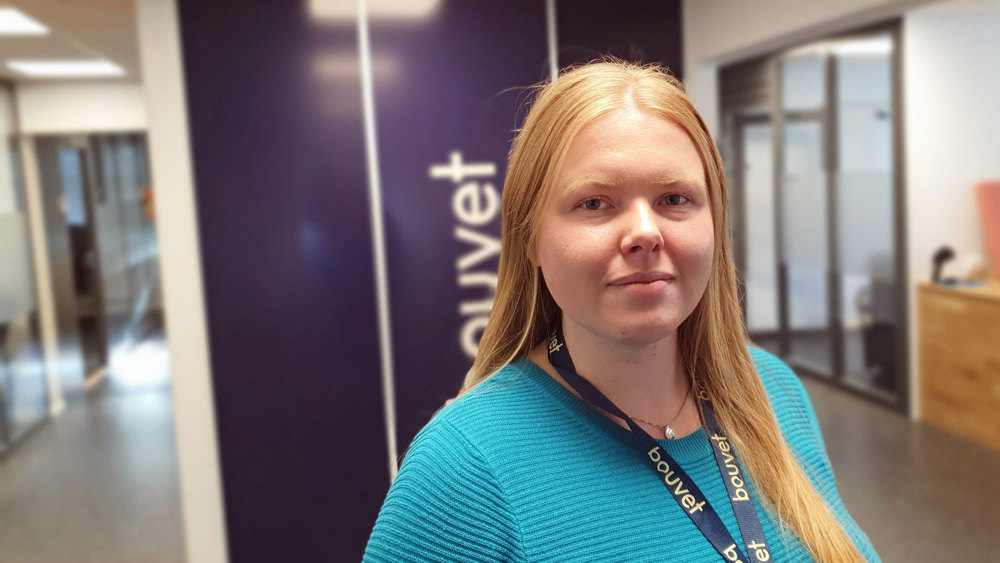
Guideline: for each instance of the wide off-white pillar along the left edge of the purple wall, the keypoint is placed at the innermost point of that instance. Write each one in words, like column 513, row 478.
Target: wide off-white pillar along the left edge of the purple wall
column 180, row 260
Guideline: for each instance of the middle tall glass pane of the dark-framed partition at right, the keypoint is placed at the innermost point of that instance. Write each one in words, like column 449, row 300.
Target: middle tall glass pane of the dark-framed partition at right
column 805, row 244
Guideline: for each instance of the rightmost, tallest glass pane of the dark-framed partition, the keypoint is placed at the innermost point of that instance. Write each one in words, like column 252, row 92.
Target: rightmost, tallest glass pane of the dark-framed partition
column 865, row 214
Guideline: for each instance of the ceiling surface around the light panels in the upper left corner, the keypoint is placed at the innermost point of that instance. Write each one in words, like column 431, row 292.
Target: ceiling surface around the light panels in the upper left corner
column 78, row 30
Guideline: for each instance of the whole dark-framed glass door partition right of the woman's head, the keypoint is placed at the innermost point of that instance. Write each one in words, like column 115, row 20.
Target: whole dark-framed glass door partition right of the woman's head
column 810, row 145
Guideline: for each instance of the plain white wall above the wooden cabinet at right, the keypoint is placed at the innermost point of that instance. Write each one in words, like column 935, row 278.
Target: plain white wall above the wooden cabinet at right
column 952, row 115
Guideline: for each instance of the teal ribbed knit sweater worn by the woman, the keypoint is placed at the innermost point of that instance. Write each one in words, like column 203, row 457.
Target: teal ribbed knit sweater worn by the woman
column 519, row 469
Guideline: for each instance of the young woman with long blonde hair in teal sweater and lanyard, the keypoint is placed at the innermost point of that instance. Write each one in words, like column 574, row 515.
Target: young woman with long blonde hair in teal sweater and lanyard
column 614, row 411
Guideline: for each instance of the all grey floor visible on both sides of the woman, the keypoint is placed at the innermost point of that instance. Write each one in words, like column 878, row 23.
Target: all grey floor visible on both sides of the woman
column 99, row 482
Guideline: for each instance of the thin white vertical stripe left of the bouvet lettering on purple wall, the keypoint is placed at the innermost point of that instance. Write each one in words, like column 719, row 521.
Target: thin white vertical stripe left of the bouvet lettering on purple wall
column 378, row 240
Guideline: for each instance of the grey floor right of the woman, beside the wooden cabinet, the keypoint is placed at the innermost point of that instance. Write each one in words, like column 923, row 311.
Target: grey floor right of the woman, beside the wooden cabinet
column 920, row 493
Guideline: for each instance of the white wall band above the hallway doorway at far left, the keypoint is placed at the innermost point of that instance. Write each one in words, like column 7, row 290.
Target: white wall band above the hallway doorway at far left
column 81, row 107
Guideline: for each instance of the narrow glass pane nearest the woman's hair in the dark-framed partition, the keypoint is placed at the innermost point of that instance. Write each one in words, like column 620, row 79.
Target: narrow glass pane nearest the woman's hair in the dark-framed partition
column 761, row 260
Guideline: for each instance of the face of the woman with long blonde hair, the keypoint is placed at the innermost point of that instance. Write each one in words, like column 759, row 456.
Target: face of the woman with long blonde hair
column 625, row 240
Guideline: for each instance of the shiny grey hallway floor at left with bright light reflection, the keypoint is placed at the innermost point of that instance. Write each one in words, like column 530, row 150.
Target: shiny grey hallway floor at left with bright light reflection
column 99, row 482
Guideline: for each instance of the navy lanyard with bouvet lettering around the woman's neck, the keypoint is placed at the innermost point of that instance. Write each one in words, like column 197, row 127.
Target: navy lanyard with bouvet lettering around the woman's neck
column 680, row 485
